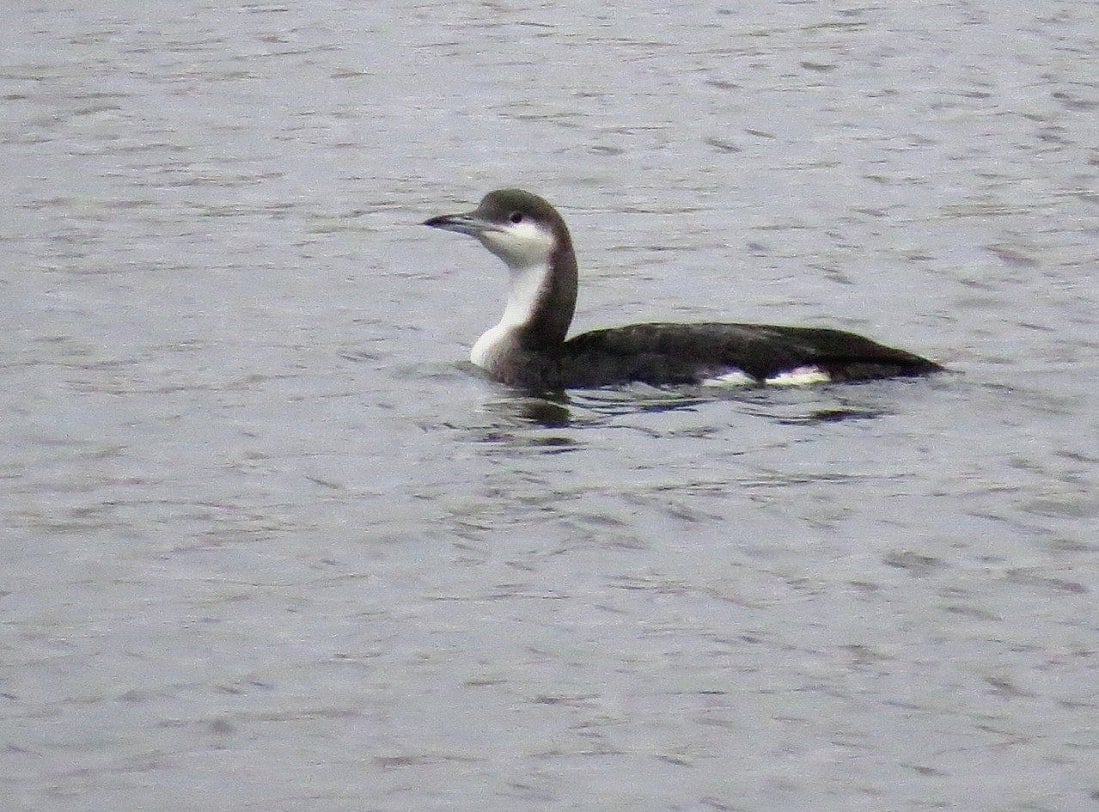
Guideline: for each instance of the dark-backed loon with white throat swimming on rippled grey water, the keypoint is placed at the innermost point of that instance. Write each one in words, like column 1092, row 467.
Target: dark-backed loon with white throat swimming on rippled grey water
column 529, row 349
